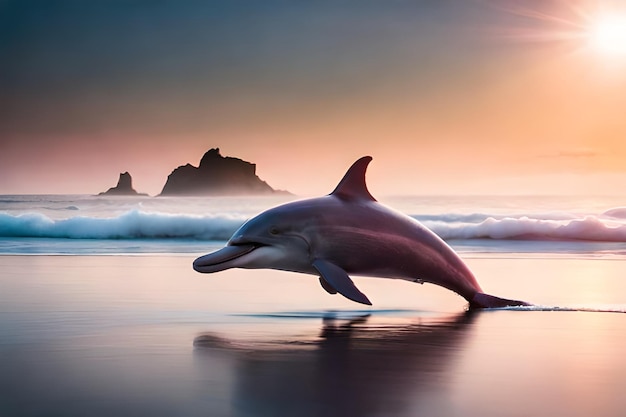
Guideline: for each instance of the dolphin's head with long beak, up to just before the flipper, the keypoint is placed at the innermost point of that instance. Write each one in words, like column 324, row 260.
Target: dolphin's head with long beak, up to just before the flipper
column 274, row 239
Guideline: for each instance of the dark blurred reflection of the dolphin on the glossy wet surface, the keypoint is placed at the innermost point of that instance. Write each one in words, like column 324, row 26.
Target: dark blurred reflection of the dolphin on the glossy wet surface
column 353, row 368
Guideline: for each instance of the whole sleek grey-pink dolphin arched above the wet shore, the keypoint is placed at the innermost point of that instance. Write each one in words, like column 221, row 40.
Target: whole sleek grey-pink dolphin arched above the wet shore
column 348, row 233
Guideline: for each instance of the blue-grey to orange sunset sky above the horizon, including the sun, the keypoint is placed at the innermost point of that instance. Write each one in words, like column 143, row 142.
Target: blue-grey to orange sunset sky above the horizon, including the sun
column 448, row 97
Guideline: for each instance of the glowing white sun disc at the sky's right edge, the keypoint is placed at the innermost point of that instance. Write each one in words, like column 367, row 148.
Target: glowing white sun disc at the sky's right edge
column 607, row 34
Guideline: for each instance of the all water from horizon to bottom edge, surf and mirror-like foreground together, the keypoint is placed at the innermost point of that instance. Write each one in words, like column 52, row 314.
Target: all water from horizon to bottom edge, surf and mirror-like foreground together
column 101, row 314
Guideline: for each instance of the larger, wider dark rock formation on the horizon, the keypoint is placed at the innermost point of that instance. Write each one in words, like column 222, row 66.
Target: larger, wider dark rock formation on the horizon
column 216, row 175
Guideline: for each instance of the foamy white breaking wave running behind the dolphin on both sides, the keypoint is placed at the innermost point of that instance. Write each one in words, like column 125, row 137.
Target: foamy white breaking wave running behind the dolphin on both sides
column 136, row 224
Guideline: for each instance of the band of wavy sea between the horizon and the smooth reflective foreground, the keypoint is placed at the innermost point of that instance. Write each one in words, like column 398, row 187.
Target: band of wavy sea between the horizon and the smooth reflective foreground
column 80, row 224
